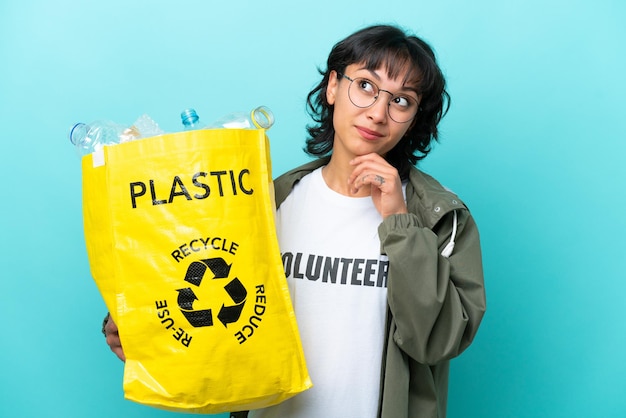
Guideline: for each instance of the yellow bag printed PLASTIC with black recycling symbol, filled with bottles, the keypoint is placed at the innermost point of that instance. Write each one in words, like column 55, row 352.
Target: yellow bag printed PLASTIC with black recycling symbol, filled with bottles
column 182, row 245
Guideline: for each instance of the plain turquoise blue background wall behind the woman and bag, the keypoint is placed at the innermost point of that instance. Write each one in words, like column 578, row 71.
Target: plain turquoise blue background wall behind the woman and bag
column 534, row 142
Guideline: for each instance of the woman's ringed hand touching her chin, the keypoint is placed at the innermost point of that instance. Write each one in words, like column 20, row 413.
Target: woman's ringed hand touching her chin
column 382, row 178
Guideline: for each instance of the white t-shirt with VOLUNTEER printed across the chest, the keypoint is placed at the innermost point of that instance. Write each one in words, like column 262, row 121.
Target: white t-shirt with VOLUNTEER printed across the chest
column 338, row 283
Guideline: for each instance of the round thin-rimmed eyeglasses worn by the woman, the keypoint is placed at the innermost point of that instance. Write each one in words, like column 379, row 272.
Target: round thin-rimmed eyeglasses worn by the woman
column 364, row 93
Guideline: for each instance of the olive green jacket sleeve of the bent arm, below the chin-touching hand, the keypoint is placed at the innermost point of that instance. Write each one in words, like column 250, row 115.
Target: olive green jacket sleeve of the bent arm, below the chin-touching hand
column 436, row 303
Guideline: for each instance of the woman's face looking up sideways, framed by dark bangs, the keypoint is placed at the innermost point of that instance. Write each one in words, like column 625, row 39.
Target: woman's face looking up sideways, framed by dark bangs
column 360, row 131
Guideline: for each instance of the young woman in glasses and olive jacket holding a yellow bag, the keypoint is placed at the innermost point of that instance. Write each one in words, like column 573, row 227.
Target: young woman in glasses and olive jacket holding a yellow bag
column 383, row 263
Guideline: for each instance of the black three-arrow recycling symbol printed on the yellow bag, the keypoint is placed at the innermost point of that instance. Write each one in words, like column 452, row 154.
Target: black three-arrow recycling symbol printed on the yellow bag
column 235, row 289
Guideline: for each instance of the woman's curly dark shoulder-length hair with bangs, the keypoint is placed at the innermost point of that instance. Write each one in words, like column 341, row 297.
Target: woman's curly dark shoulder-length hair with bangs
column 389, row 47
